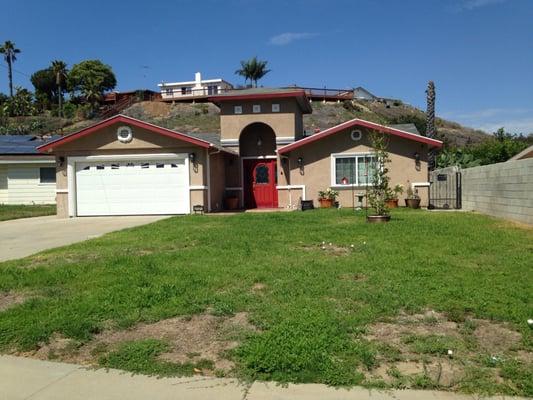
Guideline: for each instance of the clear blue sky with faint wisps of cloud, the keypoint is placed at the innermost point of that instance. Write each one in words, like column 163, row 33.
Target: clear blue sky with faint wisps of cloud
column 478, row 52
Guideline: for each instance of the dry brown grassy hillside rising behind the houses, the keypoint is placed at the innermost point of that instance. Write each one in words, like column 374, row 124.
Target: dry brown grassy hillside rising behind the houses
column 204, row 117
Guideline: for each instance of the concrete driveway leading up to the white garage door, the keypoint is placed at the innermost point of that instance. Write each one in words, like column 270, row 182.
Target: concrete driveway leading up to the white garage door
column 23, row 237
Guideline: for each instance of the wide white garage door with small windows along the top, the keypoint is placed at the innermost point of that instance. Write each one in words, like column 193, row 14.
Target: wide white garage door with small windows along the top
column 132, row 187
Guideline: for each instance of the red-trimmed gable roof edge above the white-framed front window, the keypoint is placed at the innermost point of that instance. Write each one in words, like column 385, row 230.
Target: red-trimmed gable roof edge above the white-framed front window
column 362, row 123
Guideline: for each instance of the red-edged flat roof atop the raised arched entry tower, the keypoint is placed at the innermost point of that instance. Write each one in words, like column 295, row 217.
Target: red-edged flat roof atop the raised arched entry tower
column 264, row 94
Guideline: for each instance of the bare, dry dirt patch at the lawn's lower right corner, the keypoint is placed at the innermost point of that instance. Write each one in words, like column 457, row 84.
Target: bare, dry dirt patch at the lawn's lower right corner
column 431, row 346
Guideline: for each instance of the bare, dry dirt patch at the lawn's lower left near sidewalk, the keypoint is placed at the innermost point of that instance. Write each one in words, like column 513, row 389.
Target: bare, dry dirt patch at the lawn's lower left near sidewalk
column 191, row 339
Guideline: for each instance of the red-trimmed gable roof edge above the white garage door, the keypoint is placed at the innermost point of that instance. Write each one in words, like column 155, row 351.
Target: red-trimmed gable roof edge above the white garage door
column 126, row 120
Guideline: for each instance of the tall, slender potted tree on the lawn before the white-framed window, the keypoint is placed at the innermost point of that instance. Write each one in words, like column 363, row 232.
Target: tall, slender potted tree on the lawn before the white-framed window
column 379, row 190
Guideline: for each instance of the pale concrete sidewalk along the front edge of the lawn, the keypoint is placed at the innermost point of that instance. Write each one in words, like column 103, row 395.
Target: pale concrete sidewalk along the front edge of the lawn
column 24, row 378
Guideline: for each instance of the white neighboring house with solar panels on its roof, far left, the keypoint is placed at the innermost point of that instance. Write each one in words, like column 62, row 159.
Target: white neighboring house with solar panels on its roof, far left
column 26, row 177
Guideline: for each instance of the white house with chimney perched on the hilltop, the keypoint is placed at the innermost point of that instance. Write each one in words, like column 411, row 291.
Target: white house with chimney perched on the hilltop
column 180, row 91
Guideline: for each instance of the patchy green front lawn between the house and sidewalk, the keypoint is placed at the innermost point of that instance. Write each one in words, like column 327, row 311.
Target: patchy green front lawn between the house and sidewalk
column 441, row 281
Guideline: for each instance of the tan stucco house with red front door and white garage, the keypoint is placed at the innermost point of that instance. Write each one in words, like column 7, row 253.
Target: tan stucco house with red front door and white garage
column 124, row 166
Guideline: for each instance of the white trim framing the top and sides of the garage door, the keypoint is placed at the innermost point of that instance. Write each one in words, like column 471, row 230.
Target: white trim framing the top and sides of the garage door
column 71, row 170
